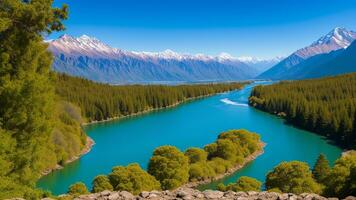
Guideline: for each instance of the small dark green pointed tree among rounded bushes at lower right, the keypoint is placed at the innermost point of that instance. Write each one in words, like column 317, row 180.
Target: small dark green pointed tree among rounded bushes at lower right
column 321, row 169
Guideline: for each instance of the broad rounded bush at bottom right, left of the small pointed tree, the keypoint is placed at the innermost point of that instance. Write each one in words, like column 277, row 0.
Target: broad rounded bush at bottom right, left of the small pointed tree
column 294, row 177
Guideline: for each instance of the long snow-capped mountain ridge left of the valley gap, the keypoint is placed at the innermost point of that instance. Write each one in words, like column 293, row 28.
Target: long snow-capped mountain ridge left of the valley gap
column 90, row 58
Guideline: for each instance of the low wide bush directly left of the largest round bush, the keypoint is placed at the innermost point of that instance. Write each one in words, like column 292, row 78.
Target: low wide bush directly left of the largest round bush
column 132, row 179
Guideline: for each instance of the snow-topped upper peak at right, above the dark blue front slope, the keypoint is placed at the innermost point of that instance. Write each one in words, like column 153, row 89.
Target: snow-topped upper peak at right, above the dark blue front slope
column 338, row 38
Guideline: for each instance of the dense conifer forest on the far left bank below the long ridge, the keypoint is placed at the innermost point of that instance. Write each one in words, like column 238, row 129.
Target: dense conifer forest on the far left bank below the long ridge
column 101, row 101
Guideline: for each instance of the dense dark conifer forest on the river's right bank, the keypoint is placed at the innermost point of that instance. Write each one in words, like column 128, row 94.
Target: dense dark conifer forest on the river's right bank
column 326, row 106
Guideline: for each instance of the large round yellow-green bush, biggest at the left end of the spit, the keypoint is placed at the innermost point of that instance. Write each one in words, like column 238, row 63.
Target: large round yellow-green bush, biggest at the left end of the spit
column 170, row 166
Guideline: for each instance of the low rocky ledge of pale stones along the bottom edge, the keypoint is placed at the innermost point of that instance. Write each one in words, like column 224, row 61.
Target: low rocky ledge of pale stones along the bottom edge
column 188, row 193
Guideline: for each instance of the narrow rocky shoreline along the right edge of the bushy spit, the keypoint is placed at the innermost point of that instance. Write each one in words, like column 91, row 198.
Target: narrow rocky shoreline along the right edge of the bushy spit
column 232, row 170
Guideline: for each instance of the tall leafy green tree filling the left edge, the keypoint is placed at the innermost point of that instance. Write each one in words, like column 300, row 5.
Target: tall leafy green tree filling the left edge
column 26, row 92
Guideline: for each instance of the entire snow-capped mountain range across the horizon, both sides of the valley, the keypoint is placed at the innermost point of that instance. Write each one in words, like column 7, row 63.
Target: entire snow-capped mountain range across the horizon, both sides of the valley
column 333, row 53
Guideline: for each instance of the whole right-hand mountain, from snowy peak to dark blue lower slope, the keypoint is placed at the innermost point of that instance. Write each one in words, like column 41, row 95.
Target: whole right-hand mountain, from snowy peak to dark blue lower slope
column 308, row 62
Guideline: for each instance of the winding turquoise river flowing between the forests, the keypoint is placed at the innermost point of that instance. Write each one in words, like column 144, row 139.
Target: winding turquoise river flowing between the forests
column 192, row 124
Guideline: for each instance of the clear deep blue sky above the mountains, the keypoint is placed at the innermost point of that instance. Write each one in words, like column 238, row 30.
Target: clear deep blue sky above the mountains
column 262, row 28
